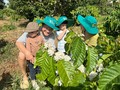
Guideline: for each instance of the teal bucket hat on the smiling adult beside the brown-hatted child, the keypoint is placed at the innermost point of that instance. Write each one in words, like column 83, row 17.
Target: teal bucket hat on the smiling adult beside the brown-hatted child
column 50, row 21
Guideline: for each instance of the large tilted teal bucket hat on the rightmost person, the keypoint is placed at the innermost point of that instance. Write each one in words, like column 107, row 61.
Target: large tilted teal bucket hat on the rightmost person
column 89, row 23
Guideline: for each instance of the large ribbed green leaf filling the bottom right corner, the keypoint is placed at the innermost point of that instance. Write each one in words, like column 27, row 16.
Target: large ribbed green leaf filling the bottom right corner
column 110, row 76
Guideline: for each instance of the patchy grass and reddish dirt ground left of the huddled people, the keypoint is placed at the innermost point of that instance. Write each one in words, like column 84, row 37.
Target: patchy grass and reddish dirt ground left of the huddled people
column 9, row 69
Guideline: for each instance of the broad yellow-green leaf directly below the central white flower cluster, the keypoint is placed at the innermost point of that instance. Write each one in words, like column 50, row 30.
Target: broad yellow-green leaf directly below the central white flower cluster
column 66, row 71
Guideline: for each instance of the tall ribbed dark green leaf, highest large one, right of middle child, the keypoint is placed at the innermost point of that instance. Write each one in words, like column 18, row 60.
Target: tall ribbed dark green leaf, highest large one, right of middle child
column 78, row 51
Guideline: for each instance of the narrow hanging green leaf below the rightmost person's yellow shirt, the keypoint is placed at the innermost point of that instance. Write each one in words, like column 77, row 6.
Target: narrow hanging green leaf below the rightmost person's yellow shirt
column 91, row 59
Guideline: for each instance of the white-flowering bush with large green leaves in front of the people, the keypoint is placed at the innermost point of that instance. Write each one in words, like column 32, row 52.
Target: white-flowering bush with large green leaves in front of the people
column 82, row 68
